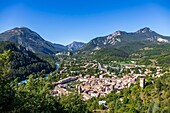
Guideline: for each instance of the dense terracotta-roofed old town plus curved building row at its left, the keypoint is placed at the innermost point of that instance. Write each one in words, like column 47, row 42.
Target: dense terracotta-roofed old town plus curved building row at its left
column 90, row 86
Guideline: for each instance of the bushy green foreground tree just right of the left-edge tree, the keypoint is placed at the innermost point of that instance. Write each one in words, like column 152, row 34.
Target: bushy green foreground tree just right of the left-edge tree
column 35, row 96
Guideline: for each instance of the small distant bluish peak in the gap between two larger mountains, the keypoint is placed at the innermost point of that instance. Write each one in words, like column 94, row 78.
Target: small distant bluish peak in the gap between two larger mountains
column 74, row 46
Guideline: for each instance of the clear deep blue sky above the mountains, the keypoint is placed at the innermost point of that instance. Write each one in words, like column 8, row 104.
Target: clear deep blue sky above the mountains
column 64, row 21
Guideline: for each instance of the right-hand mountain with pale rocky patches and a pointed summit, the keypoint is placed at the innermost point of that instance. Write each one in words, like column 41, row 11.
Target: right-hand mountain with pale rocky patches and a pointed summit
column 120, row 38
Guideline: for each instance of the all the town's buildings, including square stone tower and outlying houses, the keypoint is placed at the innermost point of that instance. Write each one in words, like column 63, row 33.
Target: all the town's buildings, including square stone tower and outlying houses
column 92, row 86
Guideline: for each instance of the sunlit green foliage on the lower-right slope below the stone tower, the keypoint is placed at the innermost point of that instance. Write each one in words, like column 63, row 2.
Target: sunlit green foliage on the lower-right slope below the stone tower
column 154, row 98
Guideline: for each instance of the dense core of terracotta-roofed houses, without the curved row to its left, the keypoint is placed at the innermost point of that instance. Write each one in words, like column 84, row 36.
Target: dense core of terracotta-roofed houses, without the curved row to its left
column 99, row 87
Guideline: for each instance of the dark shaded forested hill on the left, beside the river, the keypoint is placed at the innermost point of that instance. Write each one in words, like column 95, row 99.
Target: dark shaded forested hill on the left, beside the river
column 23, row 62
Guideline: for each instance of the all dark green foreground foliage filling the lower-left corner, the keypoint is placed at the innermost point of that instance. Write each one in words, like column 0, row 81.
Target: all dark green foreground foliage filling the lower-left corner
column 34, row 96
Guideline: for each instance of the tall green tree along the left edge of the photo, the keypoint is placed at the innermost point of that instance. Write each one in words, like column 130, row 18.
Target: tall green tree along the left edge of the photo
column 7, row 94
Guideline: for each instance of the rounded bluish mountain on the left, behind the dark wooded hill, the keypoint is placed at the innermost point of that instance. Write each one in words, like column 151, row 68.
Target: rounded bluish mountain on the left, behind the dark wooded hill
column 30, row 40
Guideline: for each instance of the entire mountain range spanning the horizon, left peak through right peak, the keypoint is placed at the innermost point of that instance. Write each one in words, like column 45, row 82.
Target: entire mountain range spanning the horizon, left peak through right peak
column 34, row 42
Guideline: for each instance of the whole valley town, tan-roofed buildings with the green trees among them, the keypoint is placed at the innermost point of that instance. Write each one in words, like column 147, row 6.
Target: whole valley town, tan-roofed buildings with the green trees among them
column 91, row 79
